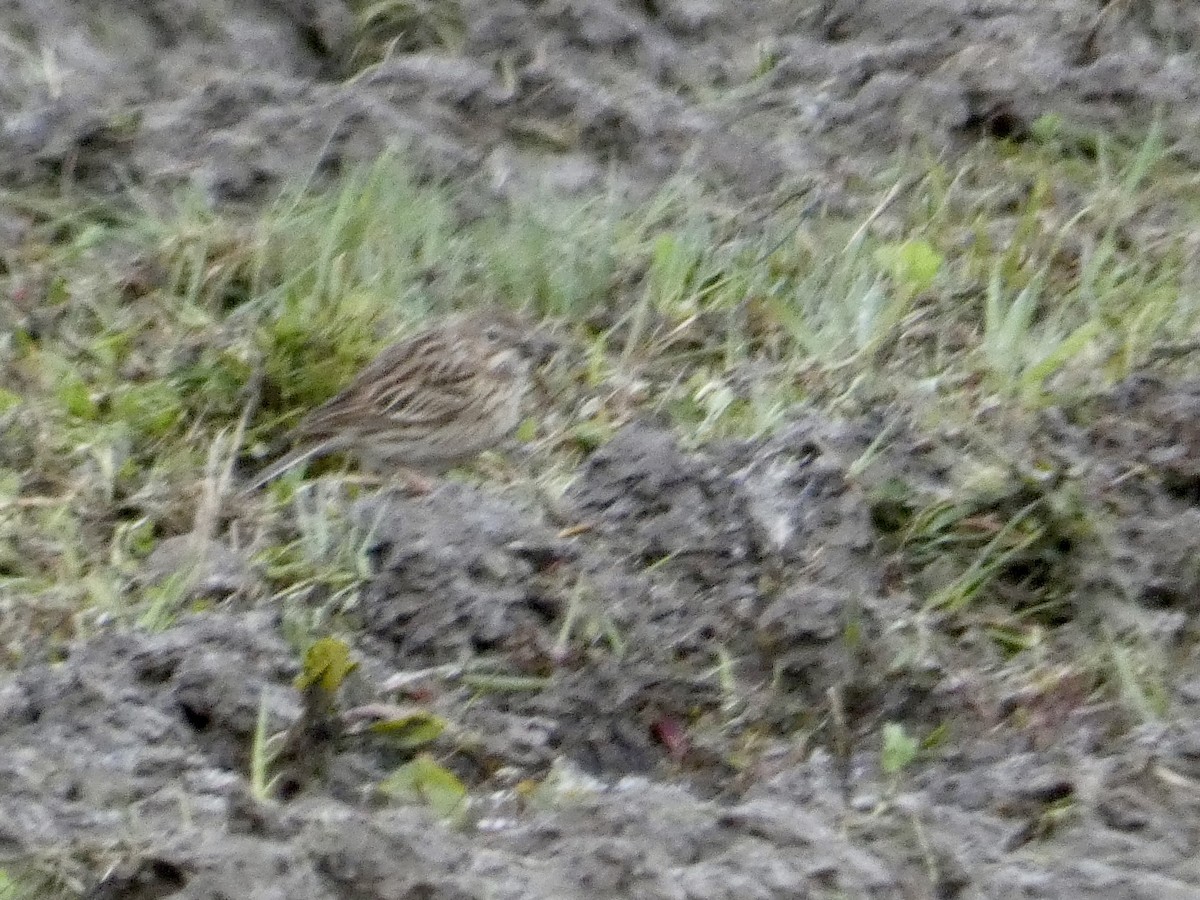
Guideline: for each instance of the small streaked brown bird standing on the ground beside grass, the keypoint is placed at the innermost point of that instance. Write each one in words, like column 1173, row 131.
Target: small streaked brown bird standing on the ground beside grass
column 424, row 405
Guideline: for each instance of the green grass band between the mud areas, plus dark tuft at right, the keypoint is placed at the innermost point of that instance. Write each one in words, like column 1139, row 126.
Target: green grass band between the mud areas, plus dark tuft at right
column 1017, row 278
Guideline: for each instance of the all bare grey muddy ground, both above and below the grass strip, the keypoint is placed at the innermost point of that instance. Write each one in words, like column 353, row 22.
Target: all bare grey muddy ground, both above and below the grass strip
column 743, row 631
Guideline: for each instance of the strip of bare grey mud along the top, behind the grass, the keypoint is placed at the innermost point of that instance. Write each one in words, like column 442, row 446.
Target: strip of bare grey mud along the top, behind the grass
column 235, row 97
